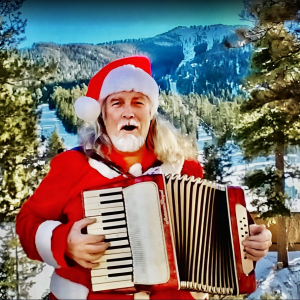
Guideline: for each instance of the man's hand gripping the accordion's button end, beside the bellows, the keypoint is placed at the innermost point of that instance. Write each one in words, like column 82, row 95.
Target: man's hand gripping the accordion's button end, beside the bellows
column 258, row 243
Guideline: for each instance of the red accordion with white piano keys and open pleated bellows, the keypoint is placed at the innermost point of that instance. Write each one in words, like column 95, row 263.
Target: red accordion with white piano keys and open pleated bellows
column 171, row 232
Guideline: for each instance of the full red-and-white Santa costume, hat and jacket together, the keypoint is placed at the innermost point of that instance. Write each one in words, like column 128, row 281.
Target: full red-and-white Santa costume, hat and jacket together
column 46, row 218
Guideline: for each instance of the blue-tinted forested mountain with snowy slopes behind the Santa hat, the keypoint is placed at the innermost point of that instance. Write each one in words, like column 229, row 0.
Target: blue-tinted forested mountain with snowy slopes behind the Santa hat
column 184, row 59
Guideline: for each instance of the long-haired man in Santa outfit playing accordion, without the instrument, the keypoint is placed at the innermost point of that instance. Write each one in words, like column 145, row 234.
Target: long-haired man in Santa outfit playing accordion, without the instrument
column 126, row 135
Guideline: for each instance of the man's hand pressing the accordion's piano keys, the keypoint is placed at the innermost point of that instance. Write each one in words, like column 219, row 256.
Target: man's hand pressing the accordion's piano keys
column 85, row 248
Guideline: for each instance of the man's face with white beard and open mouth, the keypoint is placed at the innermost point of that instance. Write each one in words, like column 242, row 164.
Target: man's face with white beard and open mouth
column 127, row 119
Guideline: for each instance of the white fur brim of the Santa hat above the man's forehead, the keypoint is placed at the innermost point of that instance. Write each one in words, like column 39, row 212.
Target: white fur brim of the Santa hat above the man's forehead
column 128, row 78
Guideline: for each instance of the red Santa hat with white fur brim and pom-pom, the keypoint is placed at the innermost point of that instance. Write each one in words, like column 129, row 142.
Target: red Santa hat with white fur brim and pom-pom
column 125, row 74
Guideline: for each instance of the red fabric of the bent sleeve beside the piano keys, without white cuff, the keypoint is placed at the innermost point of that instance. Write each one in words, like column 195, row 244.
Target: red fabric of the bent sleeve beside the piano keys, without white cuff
column 47, row 203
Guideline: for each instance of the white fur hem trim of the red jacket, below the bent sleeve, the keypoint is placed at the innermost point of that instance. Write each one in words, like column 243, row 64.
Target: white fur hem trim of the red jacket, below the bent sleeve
column 63, row 288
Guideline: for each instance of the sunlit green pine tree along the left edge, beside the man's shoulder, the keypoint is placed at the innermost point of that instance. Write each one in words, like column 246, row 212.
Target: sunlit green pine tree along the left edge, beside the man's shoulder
column 20, row 169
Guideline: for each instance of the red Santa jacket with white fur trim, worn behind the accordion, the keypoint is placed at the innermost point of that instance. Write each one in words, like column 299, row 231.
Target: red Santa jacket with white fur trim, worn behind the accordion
column 47, row 216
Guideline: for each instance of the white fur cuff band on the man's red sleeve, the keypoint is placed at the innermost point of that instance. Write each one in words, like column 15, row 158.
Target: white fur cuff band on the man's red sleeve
column 43, row 242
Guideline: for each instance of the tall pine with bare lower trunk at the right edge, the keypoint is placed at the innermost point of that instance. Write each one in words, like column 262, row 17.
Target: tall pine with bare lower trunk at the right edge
column 271, row 119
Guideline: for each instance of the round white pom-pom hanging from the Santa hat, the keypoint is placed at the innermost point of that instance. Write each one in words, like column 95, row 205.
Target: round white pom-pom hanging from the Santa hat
column 87, row 109
